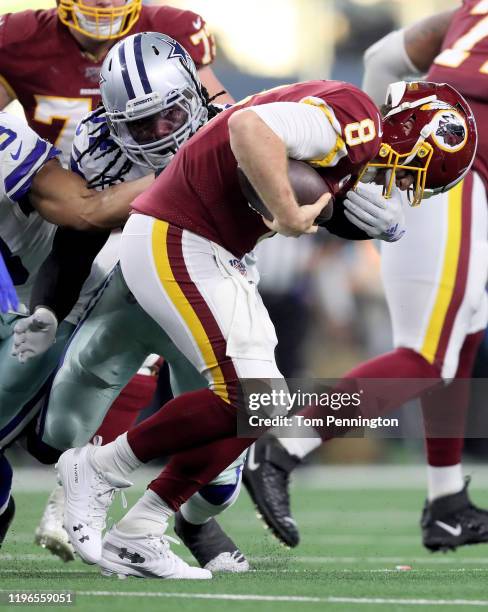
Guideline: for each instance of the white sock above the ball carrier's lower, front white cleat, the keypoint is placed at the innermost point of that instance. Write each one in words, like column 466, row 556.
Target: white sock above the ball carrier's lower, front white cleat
column 149, row 515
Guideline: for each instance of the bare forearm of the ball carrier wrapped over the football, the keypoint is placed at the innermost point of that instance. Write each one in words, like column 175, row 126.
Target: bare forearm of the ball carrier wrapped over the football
column 263, row 158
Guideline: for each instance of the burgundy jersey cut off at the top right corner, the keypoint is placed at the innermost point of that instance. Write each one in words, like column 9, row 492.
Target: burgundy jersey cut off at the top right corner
column 463, row 63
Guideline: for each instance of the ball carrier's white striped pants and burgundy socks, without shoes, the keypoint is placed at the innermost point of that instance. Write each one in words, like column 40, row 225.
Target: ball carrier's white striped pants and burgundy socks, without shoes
column 205, row 306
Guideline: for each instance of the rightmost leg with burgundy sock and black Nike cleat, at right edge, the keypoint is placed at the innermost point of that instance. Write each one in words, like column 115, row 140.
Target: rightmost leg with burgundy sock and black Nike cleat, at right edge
column 444, row 411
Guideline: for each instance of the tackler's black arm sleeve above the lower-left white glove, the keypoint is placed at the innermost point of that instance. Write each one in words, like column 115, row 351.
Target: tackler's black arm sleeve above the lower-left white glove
column 61, row 276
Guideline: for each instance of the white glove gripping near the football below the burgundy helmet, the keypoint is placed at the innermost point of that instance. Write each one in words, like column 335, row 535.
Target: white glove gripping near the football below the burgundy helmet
column 380, row 218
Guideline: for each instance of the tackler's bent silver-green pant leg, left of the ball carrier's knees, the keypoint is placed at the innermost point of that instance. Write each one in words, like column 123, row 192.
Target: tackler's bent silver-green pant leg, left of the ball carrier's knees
column 106, row 351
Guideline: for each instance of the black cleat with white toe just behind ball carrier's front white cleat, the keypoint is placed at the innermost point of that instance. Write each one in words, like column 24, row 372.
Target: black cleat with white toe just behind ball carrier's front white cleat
column 210, row 545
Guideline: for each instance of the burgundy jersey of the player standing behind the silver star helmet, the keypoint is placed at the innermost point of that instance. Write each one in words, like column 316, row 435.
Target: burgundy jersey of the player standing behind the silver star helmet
column 56, row 82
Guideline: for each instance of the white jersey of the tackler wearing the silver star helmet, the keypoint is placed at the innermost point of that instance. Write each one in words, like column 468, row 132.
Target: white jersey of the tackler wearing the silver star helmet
column 100, row 161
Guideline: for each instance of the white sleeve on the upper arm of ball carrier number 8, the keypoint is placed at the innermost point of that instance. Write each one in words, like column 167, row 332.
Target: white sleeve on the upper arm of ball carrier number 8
column 305, row 129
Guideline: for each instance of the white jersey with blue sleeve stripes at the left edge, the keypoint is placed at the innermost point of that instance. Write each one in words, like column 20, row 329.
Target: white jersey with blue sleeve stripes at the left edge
column 25, row 237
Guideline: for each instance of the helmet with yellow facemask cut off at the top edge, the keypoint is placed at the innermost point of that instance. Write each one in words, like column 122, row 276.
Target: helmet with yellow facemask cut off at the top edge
column 96, row 22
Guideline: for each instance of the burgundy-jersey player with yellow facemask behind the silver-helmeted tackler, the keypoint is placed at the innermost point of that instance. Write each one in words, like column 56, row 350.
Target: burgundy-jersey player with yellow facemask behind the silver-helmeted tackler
column 50, row 59
